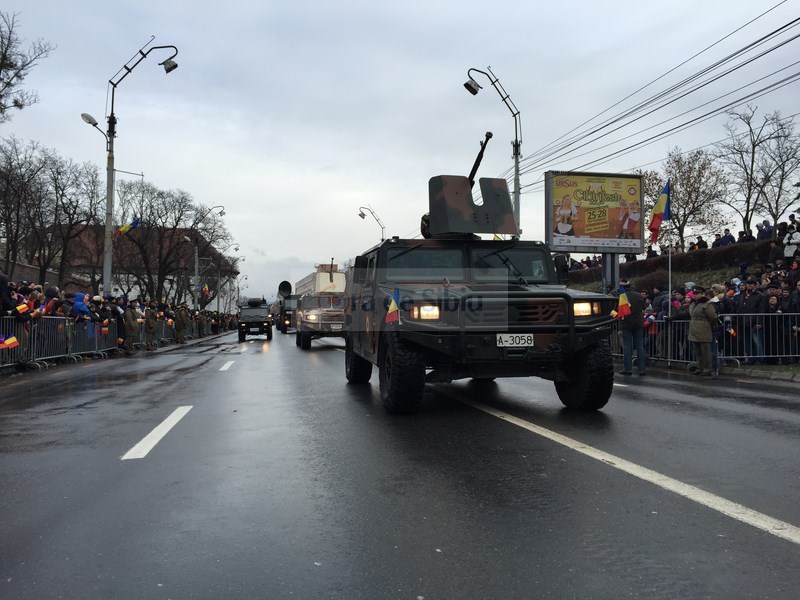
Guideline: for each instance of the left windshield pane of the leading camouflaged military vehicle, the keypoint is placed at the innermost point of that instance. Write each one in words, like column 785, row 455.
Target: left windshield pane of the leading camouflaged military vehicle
column 425, row 264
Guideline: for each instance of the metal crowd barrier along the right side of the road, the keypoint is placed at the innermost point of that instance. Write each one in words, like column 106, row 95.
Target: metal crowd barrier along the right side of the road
column 772, row 338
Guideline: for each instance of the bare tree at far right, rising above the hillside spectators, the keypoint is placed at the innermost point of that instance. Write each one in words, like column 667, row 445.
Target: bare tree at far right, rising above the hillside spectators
column 747, row 159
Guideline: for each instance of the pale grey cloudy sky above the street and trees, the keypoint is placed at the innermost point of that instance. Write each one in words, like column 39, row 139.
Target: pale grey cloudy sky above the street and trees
column 292, row 115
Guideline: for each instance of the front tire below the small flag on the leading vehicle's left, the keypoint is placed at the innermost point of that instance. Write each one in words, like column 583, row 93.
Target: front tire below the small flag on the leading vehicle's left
column 401, row 371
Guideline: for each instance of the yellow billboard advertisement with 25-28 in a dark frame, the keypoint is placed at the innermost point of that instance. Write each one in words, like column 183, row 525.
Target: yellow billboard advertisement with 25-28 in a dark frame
column 594, row 212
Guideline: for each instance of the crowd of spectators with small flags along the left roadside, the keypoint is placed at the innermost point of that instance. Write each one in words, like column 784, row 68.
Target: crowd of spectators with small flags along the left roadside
column 136, row 319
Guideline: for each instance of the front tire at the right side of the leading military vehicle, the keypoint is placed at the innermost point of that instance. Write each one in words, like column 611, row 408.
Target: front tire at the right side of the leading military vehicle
column 590, row 378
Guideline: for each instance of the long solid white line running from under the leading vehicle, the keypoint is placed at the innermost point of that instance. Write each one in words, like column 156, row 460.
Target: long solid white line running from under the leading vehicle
column 773, row 526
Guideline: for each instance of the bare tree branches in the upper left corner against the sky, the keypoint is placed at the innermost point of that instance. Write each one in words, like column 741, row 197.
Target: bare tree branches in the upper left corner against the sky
column 16, row 64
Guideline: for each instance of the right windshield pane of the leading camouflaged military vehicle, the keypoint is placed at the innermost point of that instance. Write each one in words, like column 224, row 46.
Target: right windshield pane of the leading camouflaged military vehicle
column 526, row 265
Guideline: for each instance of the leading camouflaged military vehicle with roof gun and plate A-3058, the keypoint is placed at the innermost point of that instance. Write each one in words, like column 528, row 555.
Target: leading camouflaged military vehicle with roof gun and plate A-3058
column 453, row 306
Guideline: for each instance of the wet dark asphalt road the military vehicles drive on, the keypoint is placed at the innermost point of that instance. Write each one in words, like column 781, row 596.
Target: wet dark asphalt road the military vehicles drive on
column 282, row 481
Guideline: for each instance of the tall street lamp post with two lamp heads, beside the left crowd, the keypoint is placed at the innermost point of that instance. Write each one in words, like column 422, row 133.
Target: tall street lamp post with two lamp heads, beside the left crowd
column 169, row 66
